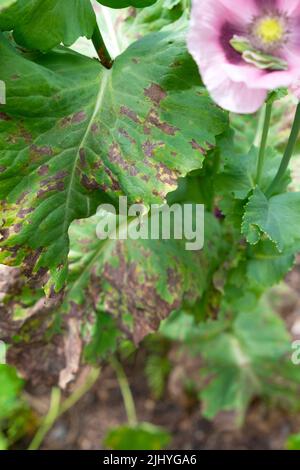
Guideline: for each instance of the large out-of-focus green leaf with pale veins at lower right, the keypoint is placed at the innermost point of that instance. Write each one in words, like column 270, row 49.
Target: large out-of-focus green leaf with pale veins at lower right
column 244, row 356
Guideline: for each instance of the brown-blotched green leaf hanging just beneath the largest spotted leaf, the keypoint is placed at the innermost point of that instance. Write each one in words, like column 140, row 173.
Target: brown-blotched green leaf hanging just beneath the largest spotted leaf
column 137, row 282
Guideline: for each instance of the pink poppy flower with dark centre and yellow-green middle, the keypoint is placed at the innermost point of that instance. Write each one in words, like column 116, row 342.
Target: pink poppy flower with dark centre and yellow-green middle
column 245, row 48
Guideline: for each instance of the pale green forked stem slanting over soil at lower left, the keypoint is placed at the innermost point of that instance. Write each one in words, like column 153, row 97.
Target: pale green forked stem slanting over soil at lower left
column 57, row 409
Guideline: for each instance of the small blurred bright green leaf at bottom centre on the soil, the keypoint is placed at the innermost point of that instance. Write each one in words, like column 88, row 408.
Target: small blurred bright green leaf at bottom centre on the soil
column 143, row 436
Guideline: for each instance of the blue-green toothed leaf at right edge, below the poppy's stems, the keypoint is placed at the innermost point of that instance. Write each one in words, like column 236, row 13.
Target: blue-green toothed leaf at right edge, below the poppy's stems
column 278, row 218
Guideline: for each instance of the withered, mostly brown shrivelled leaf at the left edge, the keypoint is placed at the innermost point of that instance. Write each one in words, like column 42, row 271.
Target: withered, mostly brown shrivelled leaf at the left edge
column 27, row 319
